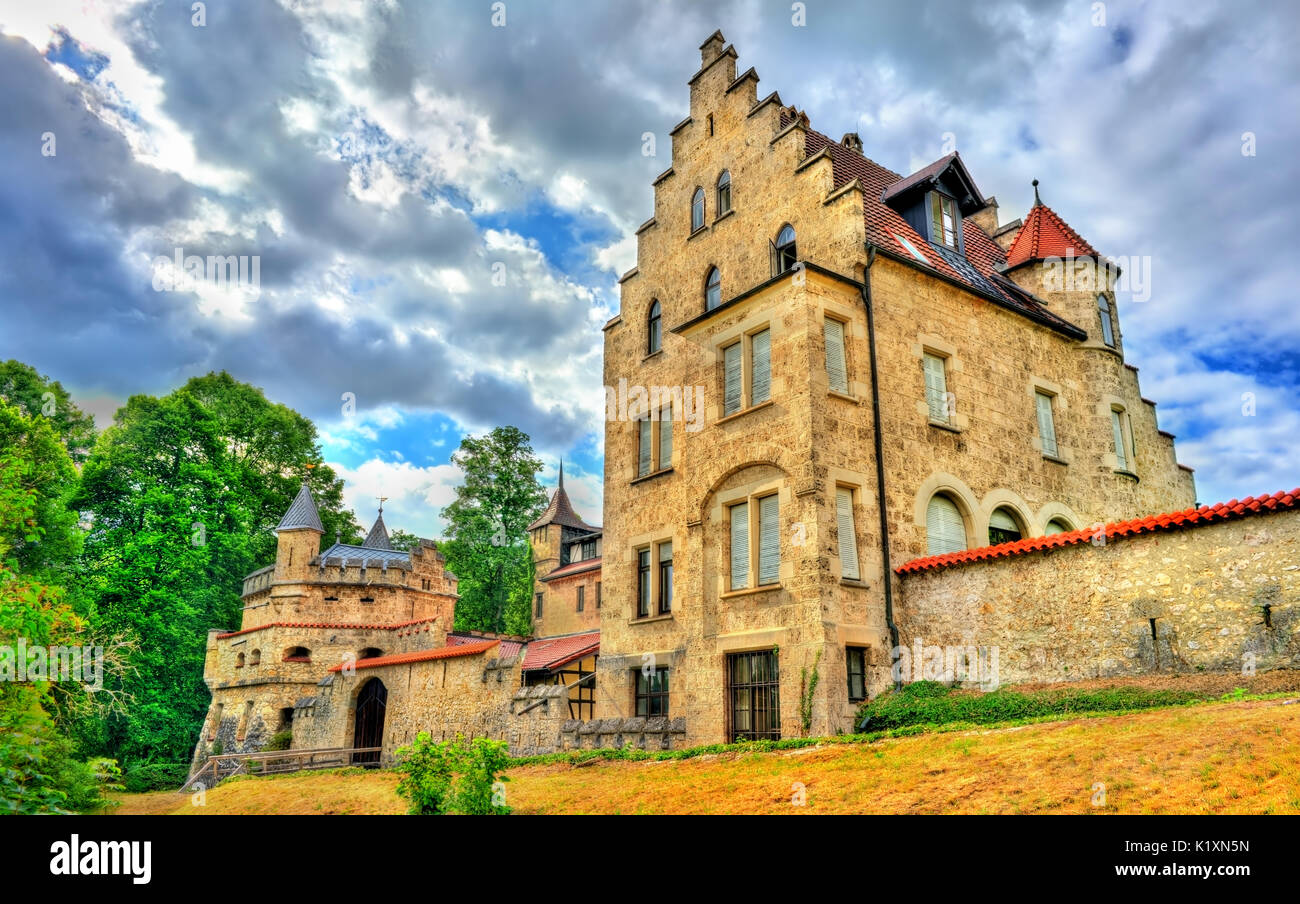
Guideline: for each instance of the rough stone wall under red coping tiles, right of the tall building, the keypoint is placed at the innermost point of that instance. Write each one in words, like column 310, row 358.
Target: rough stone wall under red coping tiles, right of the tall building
column 1171, row 602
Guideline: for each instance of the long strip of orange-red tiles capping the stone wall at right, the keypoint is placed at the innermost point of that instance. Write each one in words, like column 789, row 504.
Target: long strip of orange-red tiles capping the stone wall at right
column 1173, row 521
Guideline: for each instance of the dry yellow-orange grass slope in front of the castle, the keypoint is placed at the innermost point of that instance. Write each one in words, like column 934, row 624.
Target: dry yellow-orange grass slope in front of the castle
column 1234, row 758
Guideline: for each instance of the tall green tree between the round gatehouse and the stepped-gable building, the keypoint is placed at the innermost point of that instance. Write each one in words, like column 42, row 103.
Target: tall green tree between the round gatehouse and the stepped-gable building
column 488, row 530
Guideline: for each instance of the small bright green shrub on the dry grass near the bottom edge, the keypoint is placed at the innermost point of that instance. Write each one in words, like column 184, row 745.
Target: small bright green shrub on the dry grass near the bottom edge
column 454, row 777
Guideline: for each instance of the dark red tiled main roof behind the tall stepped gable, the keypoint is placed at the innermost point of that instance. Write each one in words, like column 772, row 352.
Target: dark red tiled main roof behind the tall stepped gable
column 883, row 224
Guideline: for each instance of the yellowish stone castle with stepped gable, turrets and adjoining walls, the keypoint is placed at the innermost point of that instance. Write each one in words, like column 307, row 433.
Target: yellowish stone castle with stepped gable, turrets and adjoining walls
column 856, row 425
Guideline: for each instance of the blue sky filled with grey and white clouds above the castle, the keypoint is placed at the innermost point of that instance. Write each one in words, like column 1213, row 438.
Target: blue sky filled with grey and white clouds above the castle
column 441, row 198
